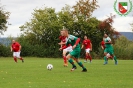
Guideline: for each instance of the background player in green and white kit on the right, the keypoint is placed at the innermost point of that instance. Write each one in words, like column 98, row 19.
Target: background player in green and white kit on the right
column 108, row 49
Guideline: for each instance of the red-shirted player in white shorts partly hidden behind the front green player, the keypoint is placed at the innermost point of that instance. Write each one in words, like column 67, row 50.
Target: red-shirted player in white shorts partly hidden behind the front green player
column 64, row 48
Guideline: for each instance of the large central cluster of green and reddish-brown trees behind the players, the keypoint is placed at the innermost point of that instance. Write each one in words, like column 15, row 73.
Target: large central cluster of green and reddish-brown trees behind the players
column 40, row 36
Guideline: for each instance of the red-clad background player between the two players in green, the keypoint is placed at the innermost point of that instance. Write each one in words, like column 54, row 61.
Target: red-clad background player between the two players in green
column 88, row 47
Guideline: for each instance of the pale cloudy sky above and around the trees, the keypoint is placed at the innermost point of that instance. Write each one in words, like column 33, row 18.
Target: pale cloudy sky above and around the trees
column 21, row 11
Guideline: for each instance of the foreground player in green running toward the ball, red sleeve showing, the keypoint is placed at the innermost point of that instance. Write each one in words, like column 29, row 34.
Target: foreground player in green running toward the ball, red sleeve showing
column 74, row 41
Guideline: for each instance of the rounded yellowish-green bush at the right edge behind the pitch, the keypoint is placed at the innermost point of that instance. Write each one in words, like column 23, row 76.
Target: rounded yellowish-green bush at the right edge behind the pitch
column 123, row 48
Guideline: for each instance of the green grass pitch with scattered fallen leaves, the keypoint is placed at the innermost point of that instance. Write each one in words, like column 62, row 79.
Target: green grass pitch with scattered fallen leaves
column 33, row 74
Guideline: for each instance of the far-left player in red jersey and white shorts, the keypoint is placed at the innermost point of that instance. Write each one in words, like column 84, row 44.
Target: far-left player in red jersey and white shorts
column 16, row 49
